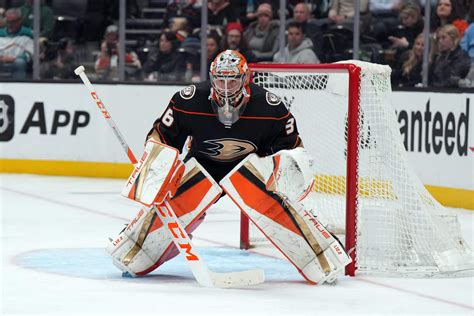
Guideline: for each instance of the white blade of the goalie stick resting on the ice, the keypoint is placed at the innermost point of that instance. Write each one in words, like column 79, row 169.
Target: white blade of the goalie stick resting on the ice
column 237, row 279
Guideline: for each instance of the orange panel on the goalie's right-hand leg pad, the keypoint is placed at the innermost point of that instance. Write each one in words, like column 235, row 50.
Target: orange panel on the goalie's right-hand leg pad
column 262, row 202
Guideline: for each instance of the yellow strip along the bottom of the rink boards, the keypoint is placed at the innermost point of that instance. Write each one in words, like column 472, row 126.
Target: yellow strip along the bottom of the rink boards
column 451, row 197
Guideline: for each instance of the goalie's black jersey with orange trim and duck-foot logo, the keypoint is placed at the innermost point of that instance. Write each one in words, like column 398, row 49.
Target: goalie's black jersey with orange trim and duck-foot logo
column 265, row 127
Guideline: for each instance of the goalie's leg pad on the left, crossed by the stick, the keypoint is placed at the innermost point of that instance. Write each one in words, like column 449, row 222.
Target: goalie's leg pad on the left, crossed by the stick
column 145, row 243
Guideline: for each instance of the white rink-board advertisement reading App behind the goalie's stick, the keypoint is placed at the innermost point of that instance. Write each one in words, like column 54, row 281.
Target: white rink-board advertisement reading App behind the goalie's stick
column 61, row 121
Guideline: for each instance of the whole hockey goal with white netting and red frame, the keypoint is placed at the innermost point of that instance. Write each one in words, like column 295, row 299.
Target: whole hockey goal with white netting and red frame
column 365, row 191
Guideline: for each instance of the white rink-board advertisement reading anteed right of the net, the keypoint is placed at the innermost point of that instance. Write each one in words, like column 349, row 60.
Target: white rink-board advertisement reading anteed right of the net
column 436, row 130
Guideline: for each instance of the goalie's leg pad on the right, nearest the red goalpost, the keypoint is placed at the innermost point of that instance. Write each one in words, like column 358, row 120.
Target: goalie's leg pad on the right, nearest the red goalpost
column 295, row 231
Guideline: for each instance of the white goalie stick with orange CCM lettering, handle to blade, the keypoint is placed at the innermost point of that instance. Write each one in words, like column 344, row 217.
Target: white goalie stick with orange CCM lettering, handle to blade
column 181, row 239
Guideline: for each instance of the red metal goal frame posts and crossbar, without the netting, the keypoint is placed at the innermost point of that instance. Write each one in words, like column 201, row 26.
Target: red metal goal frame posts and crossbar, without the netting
column 353, row 105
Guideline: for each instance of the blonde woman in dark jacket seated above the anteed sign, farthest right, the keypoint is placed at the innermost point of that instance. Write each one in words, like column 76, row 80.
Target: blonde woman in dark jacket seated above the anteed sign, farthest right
column 451, row 63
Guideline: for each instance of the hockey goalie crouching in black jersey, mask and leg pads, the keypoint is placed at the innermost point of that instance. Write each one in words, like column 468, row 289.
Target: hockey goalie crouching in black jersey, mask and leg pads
column 242, row 139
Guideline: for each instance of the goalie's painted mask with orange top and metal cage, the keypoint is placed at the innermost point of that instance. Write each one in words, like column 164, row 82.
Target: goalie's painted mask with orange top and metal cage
column 230, row 92
